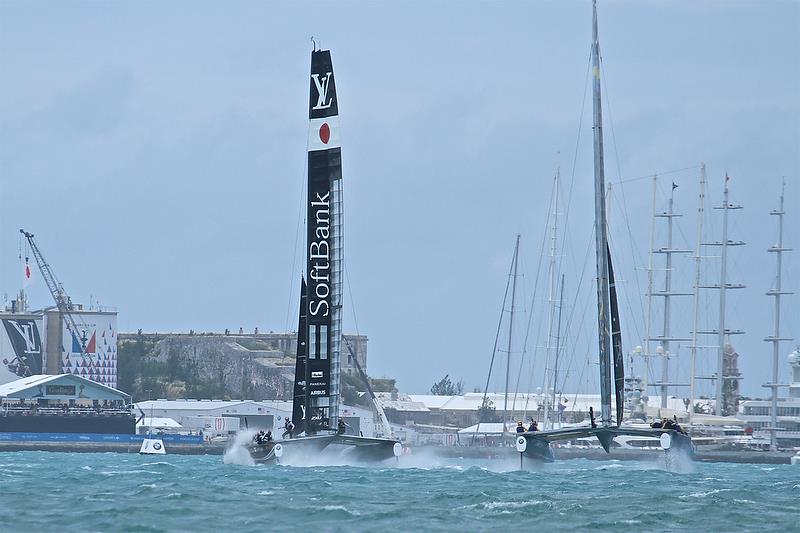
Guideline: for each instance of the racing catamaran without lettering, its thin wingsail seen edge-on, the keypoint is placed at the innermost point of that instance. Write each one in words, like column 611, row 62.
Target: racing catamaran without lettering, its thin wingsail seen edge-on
column 536, row 444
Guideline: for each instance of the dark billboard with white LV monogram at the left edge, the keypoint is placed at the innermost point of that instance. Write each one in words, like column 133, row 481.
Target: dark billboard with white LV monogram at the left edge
column 20, row 348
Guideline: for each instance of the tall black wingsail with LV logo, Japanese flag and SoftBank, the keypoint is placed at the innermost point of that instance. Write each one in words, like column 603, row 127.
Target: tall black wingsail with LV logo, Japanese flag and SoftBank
column 324, row 246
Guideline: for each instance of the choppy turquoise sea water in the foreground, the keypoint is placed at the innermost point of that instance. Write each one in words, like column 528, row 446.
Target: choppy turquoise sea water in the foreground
column 42, row 491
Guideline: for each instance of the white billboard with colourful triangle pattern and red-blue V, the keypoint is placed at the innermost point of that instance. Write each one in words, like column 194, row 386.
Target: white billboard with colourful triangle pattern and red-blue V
column 91, row 352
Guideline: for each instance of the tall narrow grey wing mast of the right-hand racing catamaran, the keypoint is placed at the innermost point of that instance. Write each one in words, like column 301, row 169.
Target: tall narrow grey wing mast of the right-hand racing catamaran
column 601, row 238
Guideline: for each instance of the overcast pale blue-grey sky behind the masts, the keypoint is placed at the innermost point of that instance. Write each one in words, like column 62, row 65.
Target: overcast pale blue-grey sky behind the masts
column 157, row 151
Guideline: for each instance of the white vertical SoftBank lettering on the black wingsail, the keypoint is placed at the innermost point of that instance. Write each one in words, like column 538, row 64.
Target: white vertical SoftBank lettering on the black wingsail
column 319, row 256
